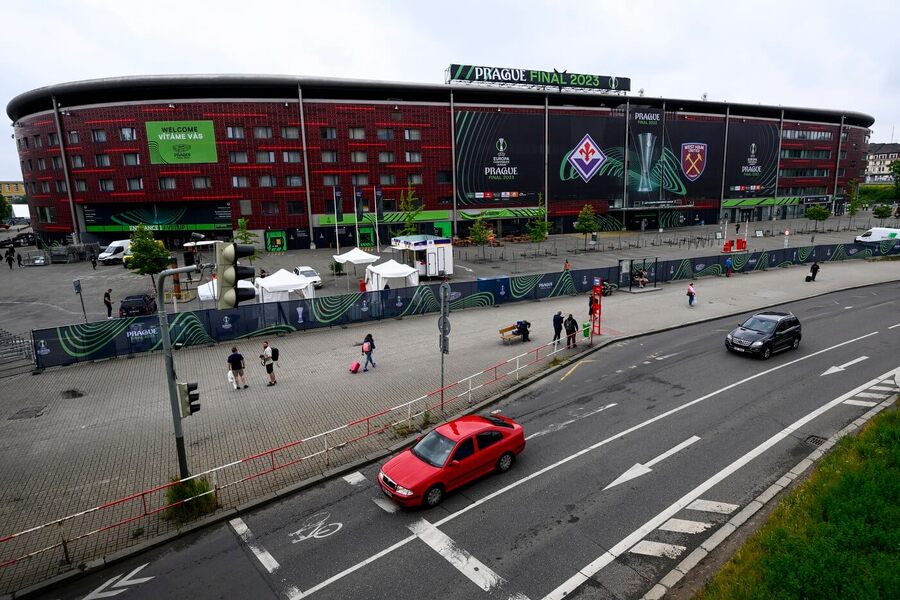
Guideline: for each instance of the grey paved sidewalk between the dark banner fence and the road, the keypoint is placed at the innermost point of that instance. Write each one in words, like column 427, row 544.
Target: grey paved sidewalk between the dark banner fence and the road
column 105, row 429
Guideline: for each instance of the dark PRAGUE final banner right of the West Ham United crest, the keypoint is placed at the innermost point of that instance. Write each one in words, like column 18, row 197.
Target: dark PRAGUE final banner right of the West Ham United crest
column 752, row 162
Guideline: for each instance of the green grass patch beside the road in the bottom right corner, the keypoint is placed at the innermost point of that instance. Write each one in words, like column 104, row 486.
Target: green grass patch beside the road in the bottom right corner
column 836, row 536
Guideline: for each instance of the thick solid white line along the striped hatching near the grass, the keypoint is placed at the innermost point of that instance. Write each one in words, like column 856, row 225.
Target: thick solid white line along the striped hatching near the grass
column 594, row 567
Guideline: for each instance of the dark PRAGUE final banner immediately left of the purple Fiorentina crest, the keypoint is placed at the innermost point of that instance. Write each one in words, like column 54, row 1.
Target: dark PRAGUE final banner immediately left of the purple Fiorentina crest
column 499, row 157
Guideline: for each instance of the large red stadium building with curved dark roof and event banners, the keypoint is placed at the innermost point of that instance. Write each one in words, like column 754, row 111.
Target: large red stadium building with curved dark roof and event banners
column 304, row 160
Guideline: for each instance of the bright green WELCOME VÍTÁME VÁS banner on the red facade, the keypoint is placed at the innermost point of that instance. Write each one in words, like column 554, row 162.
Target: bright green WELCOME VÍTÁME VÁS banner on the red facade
column 181, row 142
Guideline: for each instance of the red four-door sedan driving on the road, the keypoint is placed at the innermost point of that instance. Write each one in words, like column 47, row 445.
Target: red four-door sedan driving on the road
column 450, row 456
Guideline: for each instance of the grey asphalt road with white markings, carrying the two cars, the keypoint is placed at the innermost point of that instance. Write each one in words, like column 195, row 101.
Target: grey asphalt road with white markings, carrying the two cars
column 711, row 430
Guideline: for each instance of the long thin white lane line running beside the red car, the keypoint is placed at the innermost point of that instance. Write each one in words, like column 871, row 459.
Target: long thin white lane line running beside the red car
column 583, row 451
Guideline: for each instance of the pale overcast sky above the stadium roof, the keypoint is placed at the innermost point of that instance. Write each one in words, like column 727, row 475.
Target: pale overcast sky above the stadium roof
column 825, row 54
